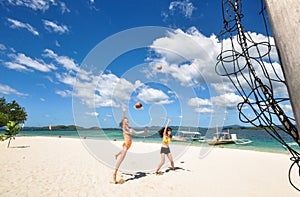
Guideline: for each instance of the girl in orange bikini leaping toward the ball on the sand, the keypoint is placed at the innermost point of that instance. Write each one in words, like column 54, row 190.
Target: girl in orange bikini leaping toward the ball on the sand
column 127, row 134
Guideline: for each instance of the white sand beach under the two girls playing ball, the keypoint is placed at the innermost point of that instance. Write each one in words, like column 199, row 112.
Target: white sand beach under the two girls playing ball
column 50, row 166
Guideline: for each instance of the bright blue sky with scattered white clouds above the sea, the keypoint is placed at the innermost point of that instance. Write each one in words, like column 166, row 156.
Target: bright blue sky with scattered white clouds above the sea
column 76, row 62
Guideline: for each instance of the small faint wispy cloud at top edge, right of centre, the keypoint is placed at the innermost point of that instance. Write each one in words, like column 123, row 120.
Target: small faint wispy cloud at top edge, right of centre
column 184, row 7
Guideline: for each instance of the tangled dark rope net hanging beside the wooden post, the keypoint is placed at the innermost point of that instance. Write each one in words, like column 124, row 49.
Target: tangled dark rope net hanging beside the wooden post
column 248, row 64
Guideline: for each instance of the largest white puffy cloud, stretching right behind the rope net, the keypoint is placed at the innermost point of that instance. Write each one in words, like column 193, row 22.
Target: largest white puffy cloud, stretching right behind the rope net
column 191, row 58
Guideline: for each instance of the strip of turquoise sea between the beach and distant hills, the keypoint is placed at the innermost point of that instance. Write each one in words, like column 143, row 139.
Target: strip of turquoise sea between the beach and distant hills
column 261, row 140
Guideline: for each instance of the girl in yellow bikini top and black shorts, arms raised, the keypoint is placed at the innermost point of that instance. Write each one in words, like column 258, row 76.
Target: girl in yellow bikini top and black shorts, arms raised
column 165, row 133
